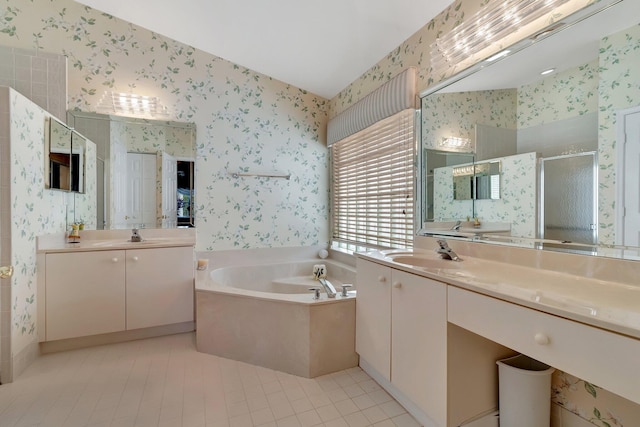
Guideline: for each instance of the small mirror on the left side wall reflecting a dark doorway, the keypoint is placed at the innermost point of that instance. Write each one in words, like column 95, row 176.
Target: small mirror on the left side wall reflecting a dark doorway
column 65, row 159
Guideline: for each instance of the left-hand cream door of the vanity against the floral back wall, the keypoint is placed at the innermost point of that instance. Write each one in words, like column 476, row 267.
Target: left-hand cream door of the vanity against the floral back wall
column 85, row 294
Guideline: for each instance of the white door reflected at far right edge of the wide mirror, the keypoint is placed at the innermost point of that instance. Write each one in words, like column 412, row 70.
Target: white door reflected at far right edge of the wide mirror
column 629, row 180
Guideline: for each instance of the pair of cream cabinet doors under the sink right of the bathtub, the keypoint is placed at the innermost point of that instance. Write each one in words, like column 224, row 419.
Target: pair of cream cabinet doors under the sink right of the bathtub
column 401, row 333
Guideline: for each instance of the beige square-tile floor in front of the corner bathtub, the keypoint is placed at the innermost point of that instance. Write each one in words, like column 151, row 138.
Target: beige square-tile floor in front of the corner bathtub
column 166, row 382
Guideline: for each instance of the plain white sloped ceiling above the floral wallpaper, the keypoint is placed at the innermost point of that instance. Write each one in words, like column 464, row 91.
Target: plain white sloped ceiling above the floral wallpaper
column 319, row 46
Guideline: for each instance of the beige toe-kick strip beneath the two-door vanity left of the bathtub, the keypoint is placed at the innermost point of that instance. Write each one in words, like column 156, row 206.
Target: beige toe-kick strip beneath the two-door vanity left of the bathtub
column 115, row 337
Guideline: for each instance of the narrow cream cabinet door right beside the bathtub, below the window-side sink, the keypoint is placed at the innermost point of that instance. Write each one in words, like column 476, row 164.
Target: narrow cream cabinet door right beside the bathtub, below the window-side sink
column 373, row 316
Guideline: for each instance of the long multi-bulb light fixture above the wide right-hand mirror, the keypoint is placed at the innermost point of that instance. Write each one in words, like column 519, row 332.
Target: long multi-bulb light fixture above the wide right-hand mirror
column 493, row 27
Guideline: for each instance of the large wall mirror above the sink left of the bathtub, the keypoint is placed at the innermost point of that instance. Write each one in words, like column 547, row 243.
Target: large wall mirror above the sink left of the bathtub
column 145, row 170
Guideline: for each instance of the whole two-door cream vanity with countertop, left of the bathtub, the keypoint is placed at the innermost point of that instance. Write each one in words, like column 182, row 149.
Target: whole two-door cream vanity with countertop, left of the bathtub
column 106, row 290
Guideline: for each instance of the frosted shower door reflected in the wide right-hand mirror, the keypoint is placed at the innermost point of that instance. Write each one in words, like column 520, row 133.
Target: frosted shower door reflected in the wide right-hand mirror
column 569, row 198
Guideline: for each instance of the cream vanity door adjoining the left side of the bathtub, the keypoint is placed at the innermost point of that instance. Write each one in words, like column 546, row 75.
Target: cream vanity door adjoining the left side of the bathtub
column 159, row 286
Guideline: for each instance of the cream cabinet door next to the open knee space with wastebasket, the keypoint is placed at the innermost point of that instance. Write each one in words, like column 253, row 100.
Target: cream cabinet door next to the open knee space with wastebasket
column 419, row 342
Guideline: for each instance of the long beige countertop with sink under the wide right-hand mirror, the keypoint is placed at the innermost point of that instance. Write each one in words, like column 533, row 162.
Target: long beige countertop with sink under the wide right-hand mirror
column 605, row 304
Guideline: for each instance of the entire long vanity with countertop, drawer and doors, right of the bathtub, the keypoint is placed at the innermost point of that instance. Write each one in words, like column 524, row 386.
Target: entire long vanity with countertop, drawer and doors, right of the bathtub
column 430, row 330
